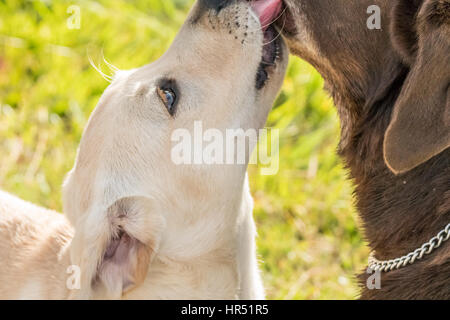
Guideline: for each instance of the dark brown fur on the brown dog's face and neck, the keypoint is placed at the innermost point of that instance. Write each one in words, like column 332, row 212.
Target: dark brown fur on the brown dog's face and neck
column 366, row 71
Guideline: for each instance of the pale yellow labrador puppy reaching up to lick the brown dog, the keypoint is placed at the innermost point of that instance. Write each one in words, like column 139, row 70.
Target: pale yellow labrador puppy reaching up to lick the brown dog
column 139, row 225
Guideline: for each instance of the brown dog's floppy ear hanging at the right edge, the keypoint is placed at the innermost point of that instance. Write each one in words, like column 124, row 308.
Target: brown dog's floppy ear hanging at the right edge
column 420, row 124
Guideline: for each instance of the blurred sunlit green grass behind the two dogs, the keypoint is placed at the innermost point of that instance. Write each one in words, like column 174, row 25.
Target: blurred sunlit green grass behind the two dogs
column 308, row 237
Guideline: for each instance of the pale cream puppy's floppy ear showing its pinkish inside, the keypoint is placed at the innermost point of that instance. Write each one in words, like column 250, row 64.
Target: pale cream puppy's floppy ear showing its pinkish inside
column 114, row 250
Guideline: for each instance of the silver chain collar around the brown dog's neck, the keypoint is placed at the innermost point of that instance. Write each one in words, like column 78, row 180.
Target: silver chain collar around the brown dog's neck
column 410, row 258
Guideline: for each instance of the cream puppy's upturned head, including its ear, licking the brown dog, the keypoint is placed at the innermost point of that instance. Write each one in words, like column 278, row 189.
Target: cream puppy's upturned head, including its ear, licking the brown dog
column 224, row 70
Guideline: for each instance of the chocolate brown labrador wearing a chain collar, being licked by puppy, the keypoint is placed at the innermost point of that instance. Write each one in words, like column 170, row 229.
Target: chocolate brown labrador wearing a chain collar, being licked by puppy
column 391, row 88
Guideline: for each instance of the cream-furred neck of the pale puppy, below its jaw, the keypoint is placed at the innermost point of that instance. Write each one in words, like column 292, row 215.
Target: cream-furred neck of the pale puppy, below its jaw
column 200, row 248
